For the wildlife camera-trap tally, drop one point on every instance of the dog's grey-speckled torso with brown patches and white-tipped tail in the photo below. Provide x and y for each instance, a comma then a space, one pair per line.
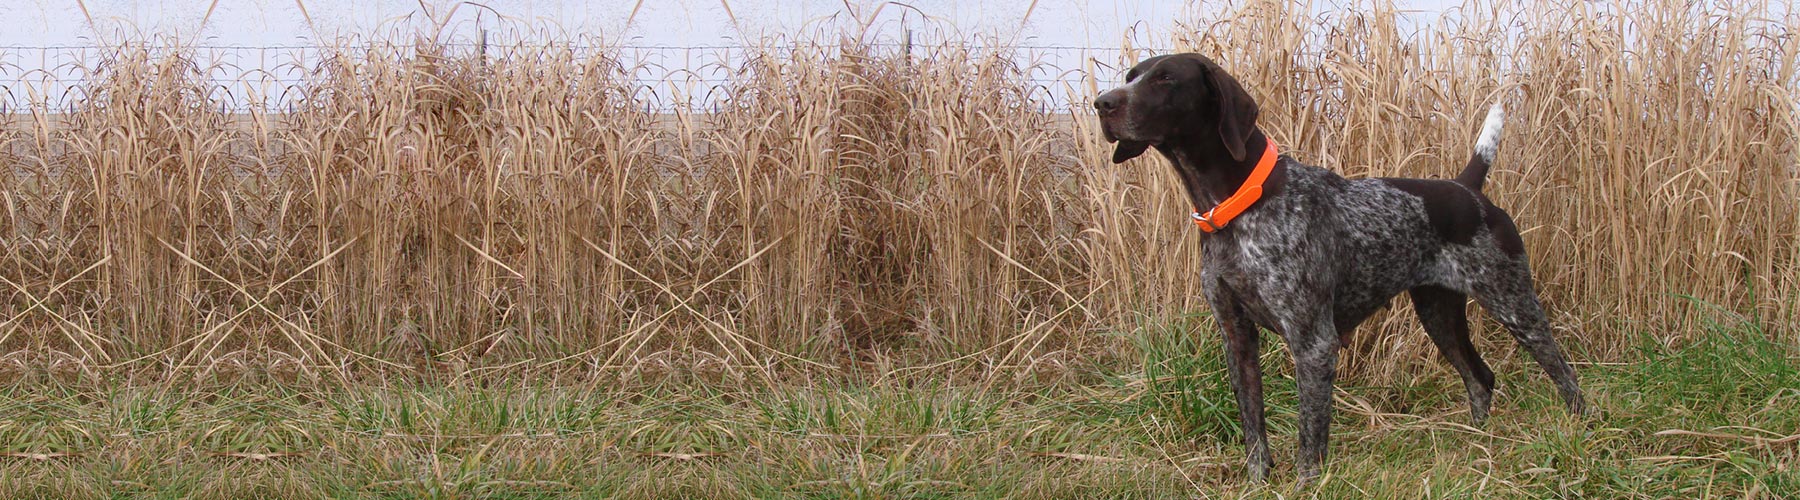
1381, 237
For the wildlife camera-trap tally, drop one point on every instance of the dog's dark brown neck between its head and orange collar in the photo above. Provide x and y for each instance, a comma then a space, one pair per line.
1209, 172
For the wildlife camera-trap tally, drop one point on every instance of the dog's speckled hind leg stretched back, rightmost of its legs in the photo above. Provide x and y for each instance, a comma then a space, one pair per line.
1506, 292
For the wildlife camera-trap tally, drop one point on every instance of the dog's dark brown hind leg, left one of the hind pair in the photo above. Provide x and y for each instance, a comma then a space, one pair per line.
1446, 321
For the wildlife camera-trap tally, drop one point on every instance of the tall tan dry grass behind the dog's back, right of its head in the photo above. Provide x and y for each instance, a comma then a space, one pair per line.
1651, 152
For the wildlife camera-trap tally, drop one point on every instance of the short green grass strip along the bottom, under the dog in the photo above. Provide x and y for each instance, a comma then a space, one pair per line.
1165, 429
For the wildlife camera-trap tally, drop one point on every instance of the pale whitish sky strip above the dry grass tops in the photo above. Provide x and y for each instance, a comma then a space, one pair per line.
46, 37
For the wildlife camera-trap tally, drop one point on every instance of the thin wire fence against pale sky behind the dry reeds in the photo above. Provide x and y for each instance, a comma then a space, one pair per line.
273, 78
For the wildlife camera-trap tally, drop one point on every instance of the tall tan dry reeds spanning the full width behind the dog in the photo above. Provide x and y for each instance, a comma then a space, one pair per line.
847, 206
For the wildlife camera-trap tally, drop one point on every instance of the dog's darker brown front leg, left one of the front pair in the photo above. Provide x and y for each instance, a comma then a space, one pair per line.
1243, 362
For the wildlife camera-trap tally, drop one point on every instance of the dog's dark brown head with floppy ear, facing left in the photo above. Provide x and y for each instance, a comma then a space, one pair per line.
1178, 98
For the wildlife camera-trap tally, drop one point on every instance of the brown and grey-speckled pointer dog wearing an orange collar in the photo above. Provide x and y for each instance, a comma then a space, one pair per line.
1309, 254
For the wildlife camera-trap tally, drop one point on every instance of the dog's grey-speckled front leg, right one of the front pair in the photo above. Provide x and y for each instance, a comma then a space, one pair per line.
1315, 370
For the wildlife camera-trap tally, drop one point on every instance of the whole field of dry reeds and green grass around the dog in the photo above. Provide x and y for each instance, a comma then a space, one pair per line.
879, 272
